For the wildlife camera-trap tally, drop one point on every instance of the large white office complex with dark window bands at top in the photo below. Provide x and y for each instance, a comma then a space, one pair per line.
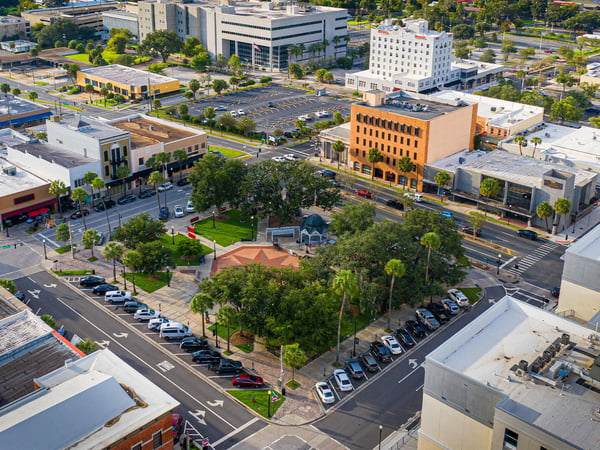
259, 32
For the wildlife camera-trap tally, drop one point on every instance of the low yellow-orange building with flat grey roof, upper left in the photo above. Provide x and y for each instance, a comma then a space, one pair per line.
129, 82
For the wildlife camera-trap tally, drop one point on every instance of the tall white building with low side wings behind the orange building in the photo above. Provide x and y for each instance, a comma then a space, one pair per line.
409, 56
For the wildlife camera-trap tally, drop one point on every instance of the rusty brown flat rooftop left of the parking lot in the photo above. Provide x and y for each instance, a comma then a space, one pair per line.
144, 131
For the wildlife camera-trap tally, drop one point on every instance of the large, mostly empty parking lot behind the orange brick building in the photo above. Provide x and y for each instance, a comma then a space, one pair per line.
288, 105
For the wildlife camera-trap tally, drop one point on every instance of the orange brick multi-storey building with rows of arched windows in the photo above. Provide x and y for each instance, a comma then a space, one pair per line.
413, 127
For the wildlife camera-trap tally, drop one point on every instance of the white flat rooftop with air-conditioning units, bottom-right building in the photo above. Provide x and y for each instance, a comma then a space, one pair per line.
489, 349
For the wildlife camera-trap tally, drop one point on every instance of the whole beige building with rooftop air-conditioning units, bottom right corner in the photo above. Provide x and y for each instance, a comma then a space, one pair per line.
515, 378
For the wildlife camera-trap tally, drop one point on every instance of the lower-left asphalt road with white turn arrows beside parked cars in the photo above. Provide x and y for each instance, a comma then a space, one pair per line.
208, 412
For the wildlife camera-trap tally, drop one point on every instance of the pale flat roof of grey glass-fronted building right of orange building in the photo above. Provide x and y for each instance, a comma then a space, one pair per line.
519, 169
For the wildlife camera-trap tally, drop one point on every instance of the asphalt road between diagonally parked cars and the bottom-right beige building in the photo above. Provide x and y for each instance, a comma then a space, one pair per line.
397, 394
